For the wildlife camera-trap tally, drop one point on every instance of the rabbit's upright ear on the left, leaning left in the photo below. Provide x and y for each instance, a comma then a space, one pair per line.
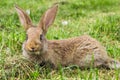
24, 18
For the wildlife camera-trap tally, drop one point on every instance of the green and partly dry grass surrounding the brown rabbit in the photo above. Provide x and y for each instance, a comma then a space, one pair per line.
98, 18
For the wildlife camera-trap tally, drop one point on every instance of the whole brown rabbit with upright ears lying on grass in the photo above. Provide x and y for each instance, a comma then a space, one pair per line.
82, 51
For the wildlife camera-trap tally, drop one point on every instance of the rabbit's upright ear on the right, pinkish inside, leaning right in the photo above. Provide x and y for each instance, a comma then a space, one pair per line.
48, 18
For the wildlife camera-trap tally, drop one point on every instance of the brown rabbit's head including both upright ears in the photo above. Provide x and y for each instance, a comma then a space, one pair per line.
35, 35
